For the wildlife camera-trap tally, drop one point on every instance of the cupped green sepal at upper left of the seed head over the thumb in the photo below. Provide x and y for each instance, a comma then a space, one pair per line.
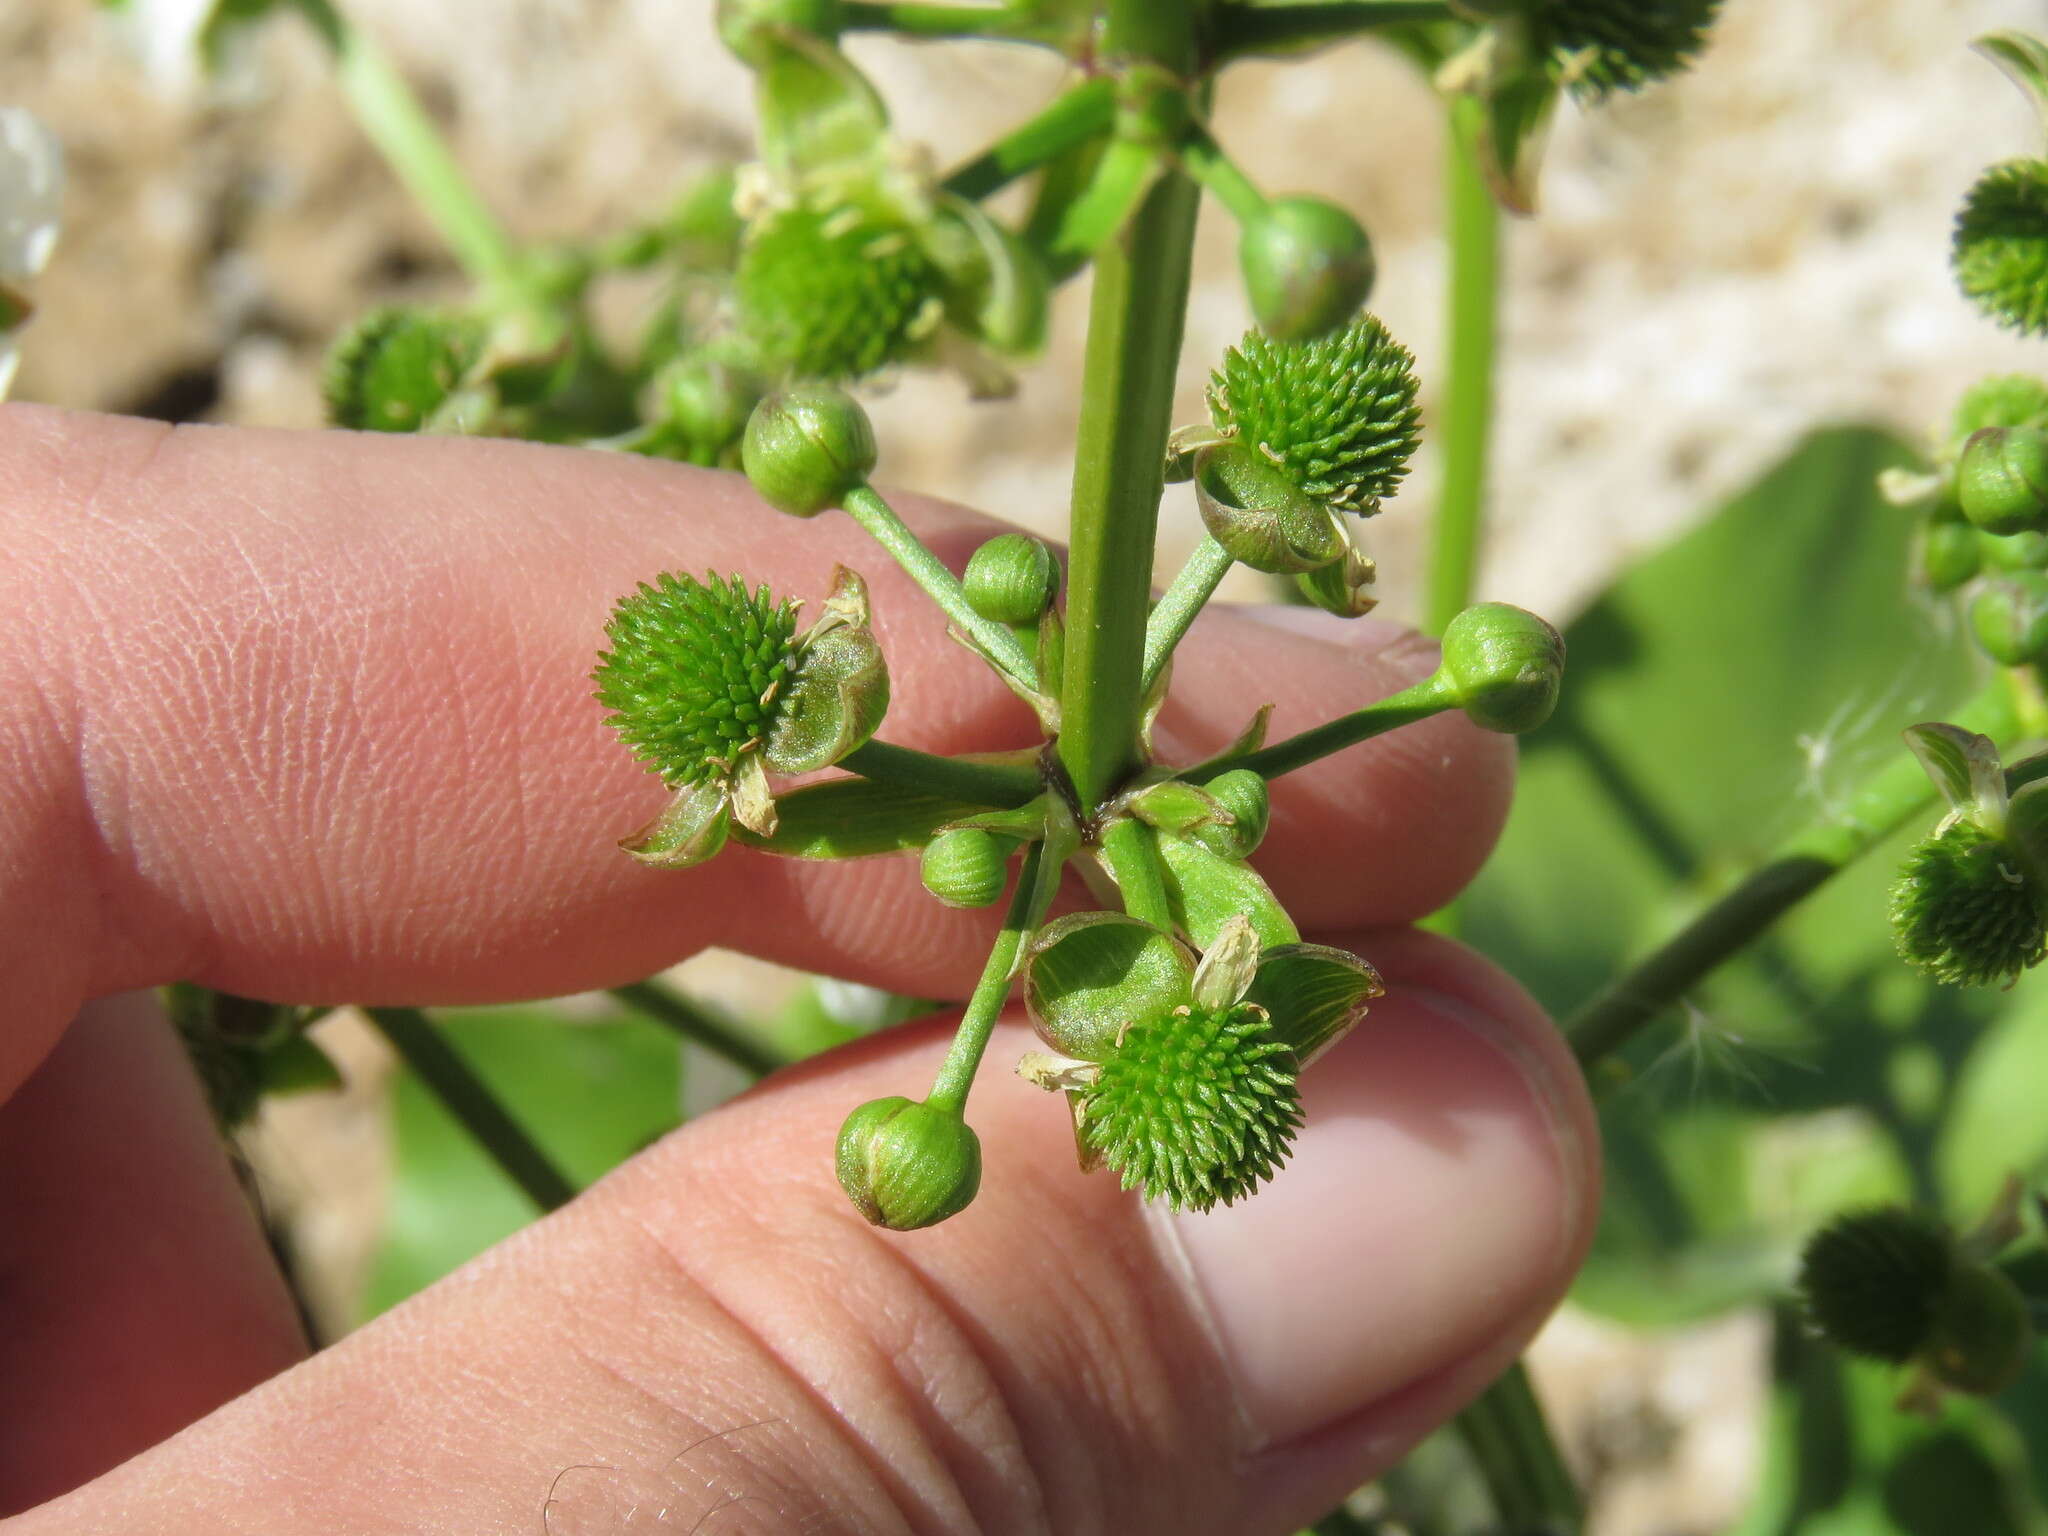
1095, 974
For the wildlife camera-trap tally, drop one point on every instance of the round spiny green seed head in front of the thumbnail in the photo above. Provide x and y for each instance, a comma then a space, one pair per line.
1195, 1107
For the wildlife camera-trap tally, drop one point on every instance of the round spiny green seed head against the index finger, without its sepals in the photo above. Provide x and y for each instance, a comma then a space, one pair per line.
697, 675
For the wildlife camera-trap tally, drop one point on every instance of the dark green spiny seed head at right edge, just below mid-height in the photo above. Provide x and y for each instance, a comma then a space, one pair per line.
1965, 912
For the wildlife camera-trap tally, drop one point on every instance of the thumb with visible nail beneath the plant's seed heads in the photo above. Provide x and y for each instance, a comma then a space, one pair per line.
716, 1330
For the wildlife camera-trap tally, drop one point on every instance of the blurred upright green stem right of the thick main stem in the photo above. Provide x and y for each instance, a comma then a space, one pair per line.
1467, 423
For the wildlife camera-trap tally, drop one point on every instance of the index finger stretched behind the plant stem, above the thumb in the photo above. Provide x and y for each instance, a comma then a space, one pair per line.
308, 716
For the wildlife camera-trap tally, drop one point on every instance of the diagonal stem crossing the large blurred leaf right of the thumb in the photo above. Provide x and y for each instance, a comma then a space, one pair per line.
1799, 867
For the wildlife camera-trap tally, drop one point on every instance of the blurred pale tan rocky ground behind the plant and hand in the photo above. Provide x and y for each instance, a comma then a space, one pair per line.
1721, 265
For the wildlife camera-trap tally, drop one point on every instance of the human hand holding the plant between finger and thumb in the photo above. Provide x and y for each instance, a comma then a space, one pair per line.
306, 716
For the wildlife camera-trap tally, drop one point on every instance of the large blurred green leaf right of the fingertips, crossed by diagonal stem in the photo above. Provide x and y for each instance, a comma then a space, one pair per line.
1721, 697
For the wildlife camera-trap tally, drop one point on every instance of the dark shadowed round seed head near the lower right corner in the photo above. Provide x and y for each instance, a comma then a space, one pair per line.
1875, 1279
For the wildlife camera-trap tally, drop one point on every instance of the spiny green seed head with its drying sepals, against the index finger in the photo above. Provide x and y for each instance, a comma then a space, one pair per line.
714, 687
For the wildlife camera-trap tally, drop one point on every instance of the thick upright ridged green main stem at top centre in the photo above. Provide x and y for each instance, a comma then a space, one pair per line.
1136, 325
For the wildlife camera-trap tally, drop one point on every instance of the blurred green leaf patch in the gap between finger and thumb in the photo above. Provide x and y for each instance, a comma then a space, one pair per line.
589, 1095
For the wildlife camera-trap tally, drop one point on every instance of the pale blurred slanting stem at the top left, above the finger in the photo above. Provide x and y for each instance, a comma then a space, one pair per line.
413, 146
